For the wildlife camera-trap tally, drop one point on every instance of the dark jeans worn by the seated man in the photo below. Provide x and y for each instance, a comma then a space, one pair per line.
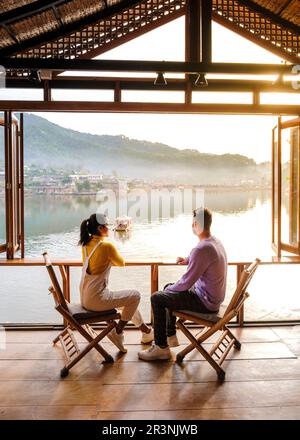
163, 303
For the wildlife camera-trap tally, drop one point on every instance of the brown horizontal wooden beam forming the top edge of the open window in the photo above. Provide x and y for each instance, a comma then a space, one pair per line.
145, 107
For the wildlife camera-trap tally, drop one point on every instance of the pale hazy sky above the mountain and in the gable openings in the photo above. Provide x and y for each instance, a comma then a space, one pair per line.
249, 135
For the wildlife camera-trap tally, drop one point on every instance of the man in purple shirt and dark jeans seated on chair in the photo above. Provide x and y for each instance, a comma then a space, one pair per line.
201, 289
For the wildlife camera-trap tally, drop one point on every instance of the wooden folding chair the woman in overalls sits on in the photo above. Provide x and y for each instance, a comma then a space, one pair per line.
79, 319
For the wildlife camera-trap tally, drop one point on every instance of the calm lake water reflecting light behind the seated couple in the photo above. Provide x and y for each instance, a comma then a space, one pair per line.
242, 220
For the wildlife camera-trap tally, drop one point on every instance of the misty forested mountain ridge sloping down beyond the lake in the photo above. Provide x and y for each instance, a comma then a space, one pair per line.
49, 145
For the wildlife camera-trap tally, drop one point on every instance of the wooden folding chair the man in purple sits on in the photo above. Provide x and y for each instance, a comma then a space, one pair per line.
215, 322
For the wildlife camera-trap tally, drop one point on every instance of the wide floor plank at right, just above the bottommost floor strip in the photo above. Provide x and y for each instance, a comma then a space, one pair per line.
199, 396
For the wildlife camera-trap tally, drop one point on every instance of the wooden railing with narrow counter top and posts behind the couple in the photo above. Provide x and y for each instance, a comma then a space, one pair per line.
65, 265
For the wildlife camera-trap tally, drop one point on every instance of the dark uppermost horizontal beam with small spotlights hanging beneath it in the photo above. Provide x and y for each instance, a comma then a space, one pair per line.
144, 66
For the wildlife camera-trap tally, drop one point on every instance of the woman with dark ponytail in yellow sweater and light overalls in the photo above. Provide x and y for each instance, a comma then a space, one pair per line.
98, 257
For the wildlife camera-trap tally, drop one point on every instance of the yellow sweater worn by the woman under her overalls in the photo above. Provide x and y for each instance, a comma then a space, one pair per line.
106, 253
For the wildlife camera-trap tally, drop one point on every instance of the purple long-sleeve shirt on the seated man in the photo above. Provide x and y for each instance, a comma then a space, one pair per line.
206, 273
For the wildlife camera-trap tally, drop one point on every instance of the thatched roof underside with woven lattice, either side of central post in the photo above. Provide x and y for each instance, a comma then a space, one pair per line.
77, 28
